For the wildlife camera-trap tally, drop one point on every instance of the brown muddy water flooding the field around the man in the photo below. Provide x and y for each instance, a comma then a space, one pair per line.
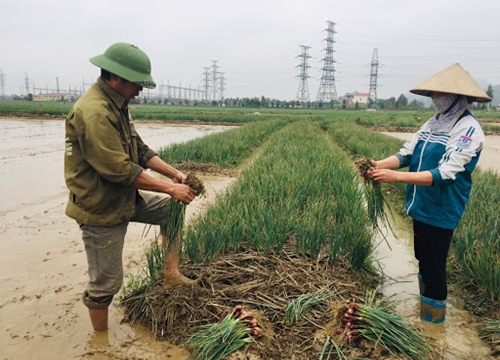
42, 259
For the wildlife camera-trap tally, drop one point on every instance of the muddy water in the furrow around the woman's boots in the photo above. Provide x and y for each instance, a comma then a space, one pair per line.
457, 337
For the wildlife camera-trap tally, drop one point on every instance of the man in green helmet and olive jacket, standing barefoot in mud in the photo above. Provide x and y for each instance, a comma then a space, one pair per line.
104, 166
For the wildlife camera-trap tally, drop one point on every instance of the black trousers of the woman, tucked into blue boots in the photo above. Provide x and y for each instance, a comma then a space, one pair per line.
431, 245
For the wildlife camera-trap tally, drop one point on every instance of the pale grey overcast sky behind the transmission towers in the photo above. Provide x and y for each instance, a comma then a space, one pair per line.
256, 43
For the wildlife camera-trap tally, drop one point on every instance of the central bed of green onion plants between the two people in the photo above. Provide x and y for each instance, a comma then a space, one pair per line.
309, 182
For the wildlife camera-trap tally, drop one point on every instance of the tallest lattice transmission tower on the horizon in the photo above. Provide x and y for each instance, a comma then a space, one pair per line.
327, 90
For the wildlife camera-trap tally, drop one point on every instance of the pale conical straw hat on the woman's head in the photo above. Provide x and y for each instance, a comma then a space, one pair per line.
453, 80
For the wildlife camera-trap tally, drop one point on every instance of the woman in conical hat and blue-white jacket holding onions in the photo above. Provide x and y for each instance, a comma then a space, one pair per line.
441, 157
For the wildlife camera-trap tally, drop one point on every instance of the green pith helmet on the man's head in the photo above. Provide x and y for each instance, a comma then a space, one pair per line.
128, 62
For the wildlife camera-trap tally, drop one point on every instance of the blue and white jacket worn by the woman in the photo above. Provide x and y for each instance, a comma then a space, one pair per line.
451, 158
